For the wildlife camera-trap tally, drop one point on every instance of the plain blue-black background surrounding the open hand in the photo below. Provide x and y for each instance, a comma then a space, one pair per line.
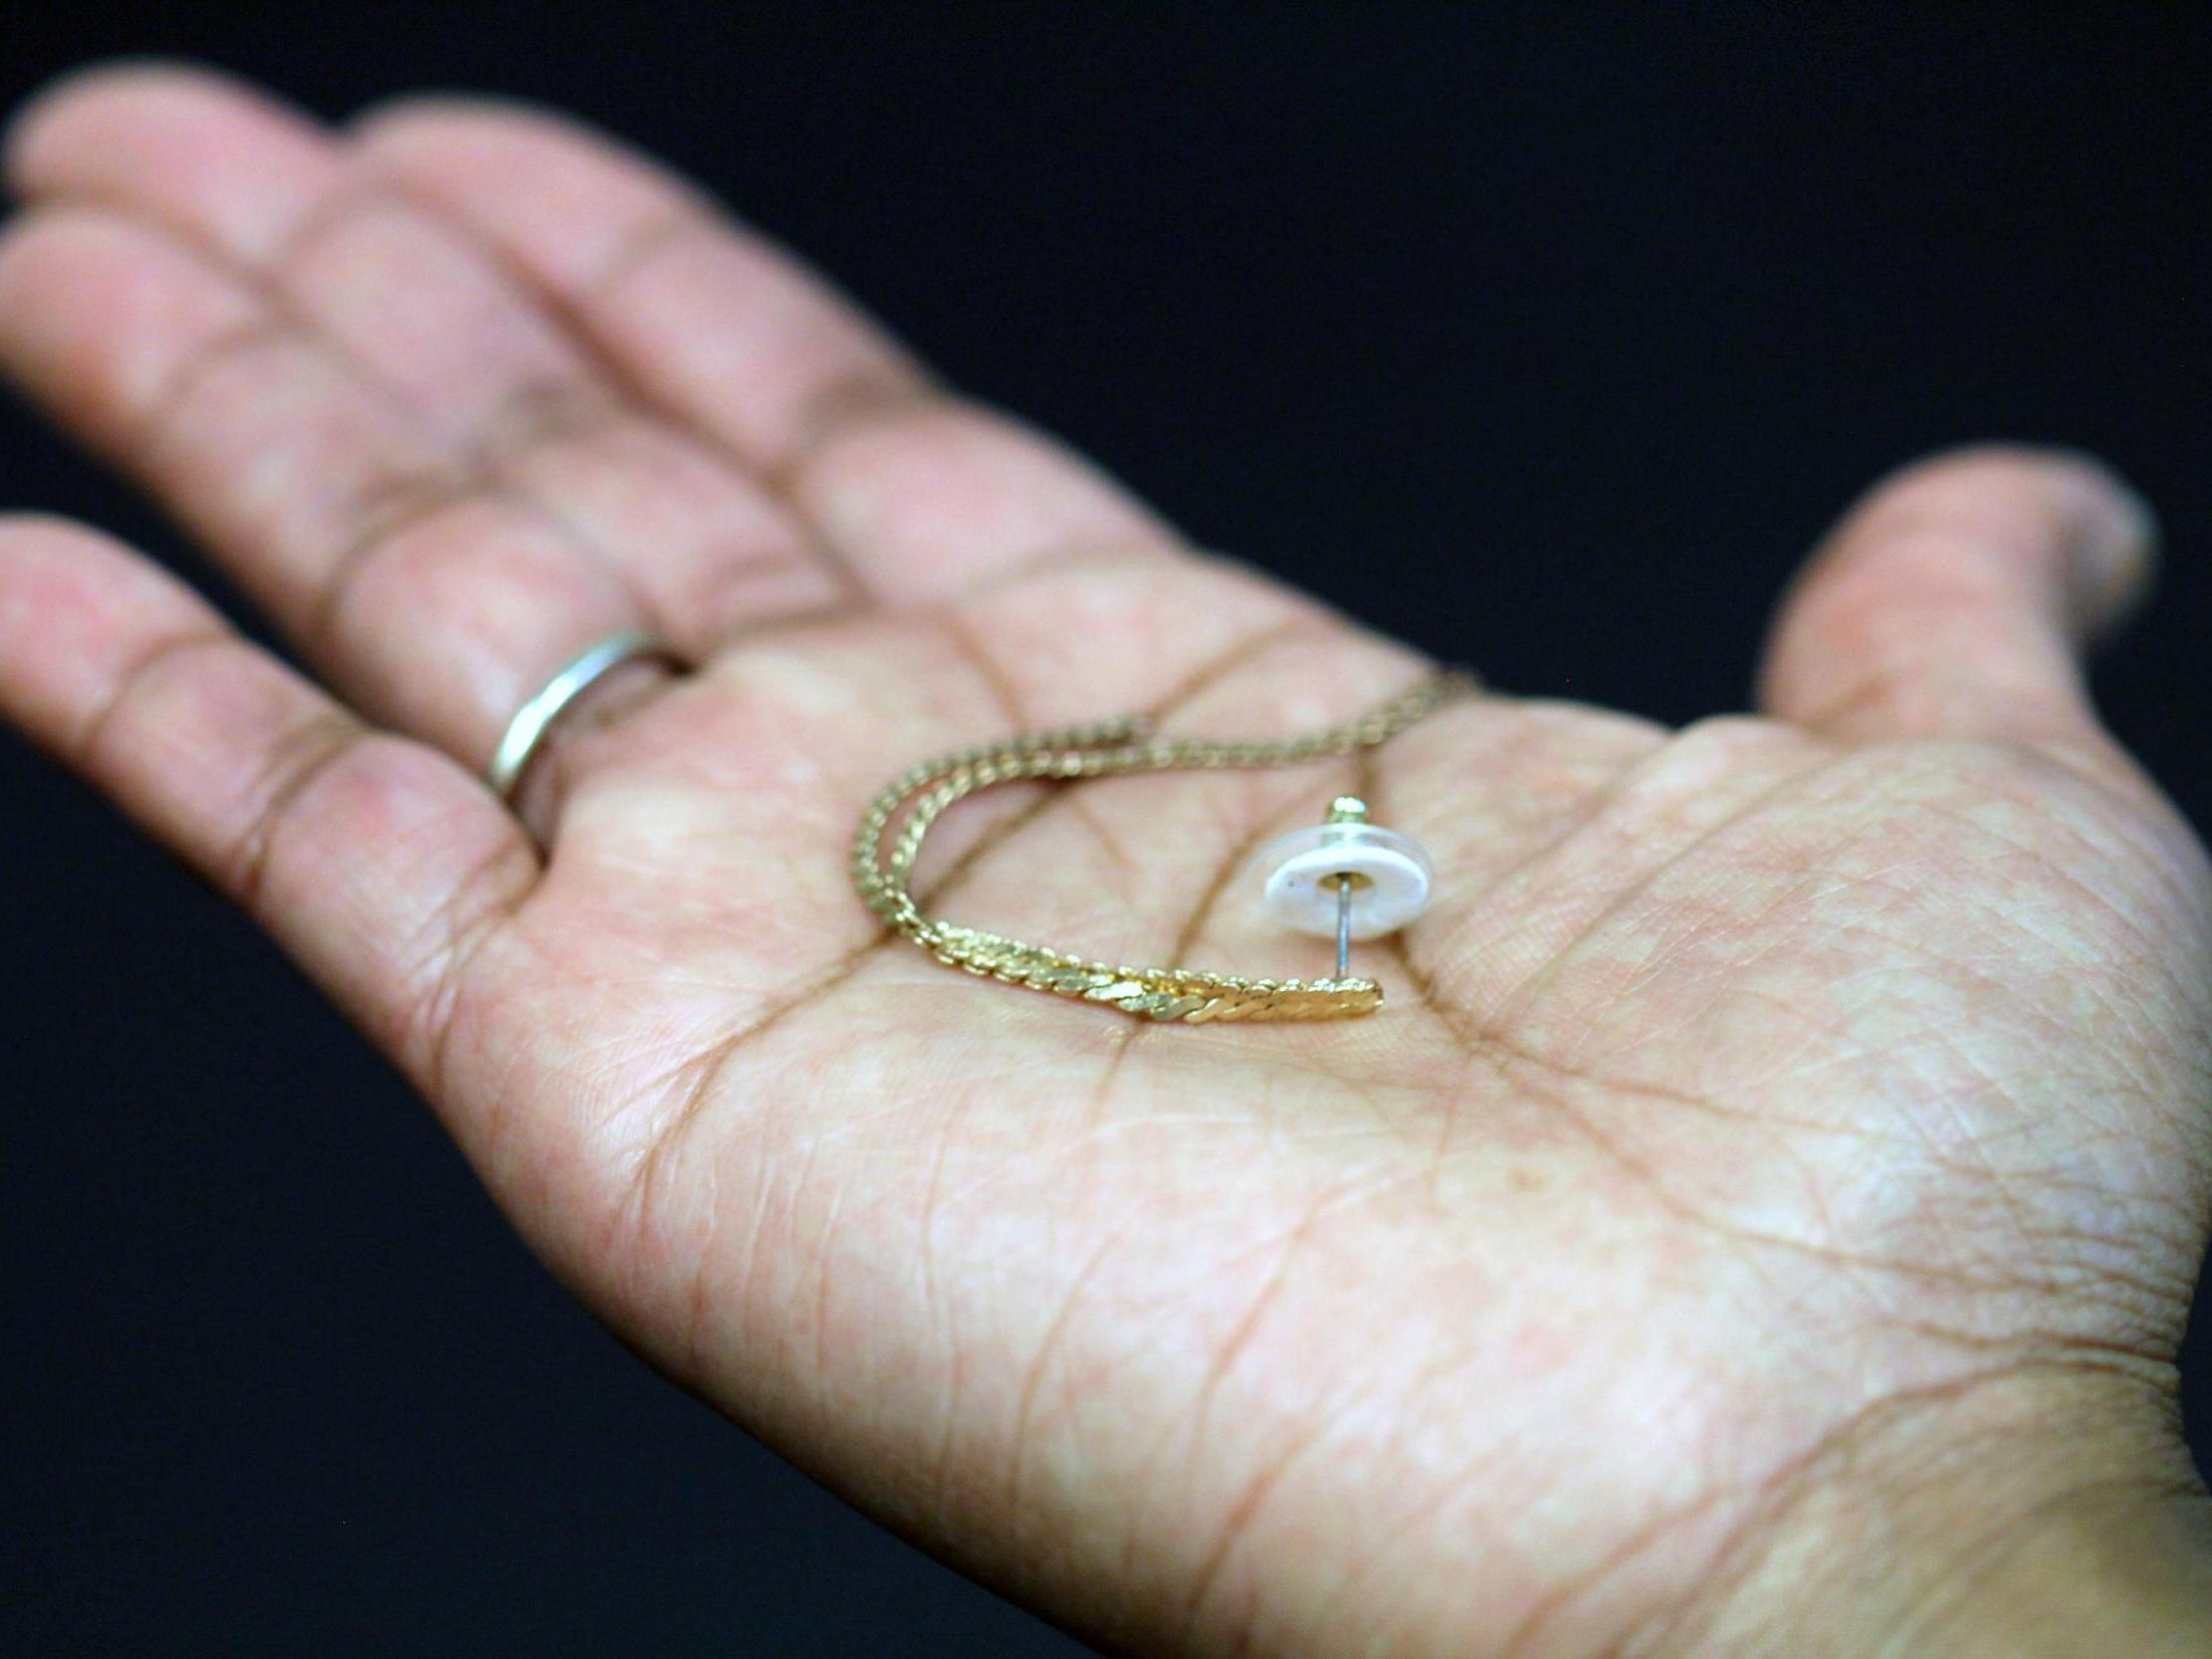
1547, 337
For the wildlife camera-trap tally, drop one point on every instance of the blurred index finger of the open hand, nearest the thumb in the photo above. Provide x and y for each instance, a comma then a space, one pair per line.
921, 492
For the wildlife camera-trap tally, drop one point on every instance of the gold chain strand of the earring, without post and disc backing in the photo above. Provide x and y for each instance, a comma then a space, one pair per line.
884, 862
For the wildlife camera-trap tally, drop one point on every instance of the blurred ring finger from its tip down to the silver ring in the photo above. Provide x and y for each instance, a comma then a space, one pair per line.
430, 605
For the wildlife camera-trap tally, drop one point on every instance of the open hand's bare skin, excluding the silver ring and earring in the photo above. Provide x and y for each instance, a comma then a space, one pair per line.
1760, 1222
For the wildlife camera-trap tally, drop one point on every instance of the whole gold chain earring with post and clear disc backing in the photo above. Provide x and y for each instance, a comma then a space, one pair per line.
1342, 877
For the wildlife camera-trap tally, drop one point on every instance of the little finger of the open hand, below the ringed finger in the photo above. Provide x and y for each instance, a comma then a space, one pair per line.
371, 859
